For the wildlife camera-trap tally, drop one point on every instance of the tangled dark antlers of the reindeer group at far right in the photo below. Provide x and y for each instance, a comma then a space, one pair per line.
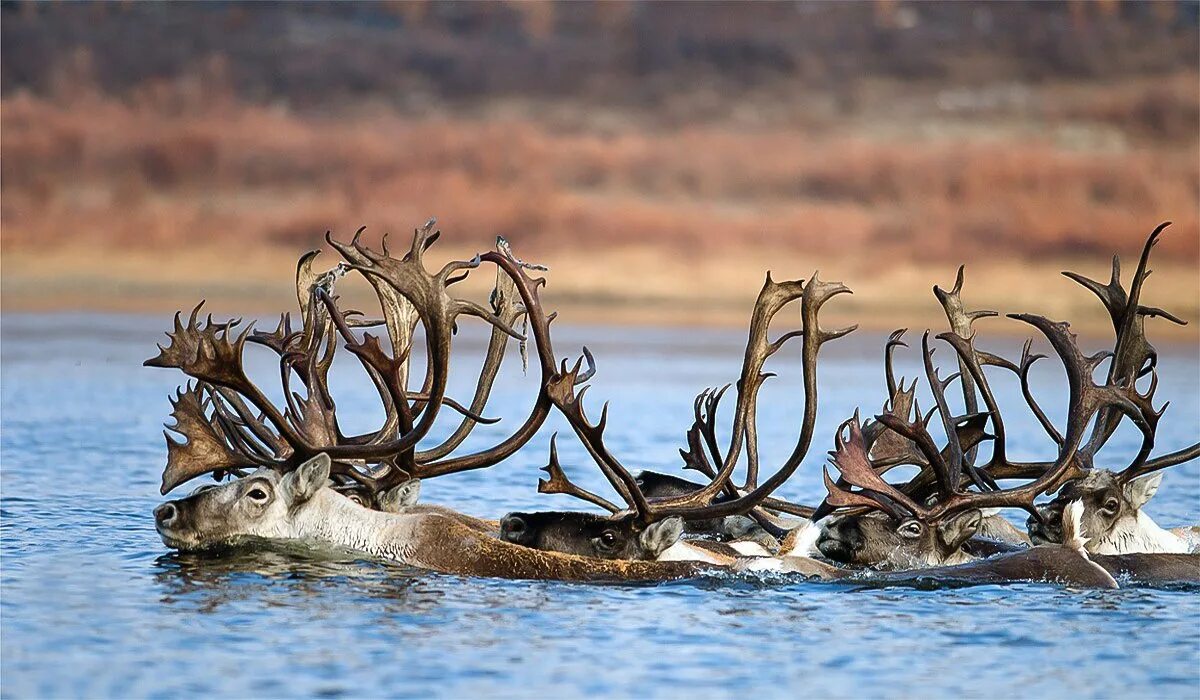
861, 484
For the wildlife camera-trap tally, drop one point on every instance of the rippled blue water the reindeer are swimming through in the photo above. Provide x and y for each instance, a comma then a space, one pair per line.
94, 606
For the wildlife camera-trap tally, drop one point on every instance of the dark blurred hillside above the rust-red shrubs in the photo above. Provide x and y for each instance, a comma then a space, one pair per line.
313, 55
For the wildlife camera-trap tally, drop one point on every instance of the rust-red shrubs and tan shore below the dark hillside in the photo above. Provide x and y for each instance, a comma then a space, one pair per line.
172, 188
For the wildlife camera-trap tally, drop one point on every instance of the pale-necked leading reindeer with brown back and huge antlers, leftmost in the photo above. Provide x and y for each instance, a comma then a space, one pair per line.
301, 477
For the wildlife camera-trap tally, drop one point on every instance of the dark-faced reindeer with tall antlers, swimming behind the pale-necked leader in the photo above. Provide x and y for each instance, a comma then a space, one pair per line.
647, 528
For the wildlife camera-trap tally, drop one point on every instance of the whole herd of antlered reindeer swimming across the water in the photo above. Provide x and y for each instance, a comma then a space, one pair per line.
287, 471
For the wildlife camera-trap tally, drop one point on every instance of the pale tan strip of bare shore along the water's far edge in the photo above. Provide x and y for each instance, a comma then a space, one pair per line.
628, 288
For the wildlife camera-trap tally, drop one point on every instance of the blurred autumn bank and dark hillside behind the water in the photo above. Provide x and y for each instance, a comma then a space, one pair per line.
659, 157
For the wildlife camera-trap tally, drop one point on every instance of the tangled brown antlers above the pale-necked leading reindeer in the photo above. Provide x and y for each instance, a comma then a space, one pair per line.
230, 424
